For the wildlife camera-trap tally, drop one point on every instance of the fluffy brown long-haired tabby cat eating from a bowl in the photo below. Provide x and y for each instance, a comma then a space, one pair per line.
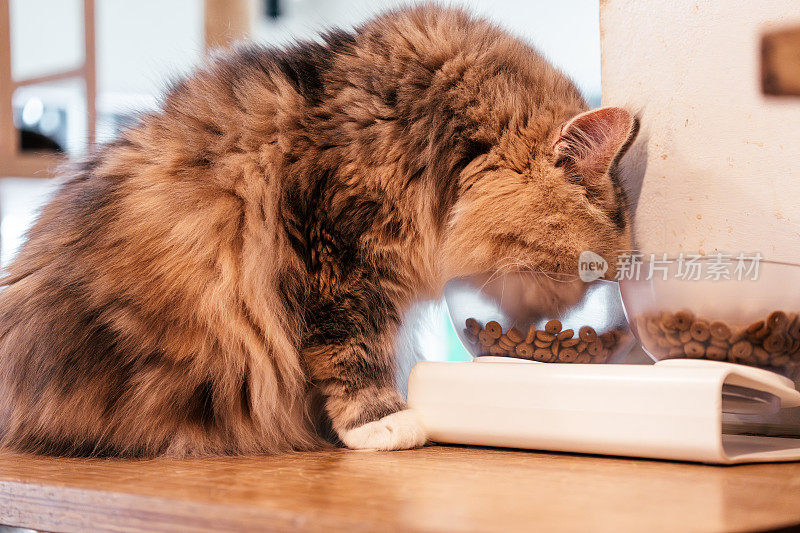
229, 275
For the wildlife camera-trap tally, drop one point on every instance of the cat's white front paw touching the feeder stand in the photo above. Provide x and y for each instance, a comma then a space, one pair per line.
397, 431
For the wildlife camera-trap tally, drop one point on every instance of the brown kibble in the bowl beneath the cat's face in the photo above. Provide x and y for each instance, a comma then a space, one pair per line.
550, 345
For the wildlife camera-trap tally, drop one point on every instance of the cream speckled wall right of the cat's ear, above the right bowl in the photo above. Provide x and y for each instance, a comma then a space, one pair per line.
720, 167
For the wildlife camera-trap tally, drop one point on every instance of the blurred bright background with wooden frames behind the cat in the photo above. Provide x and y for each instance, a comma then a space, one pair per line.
73, 72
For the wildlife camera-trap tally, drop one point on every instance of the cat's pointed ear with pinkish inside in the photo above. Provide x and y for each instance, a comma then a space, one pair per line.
595, 140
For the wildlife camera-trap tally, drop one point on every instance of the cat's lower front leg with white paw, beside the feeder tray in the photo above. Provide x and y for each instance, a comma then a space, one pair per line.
366, 410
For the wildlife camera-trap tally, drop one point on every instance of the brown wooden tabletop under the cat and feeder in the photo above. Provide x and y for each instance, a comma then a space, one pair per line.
432, 489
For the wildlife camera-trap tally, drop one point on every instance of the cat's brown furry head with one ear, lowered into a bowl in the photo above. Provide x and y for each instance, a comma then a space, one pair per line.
538, 205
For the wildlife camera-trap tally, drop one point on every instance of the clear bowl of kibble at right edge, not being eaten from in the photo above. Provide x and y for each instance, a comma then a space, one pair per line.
751, 319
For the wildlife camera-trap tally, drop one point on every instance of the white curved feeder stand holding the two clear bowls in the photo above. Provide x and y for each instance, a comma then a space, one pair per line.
678, 409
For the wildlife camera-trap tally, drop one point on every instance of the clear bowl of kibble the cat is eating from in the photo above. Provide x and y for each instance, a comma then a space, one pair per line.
539, 316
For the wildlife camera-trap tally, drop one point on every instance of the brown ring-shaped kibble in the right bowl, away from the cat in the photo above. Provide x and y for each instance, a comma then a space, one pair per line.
772, 342
